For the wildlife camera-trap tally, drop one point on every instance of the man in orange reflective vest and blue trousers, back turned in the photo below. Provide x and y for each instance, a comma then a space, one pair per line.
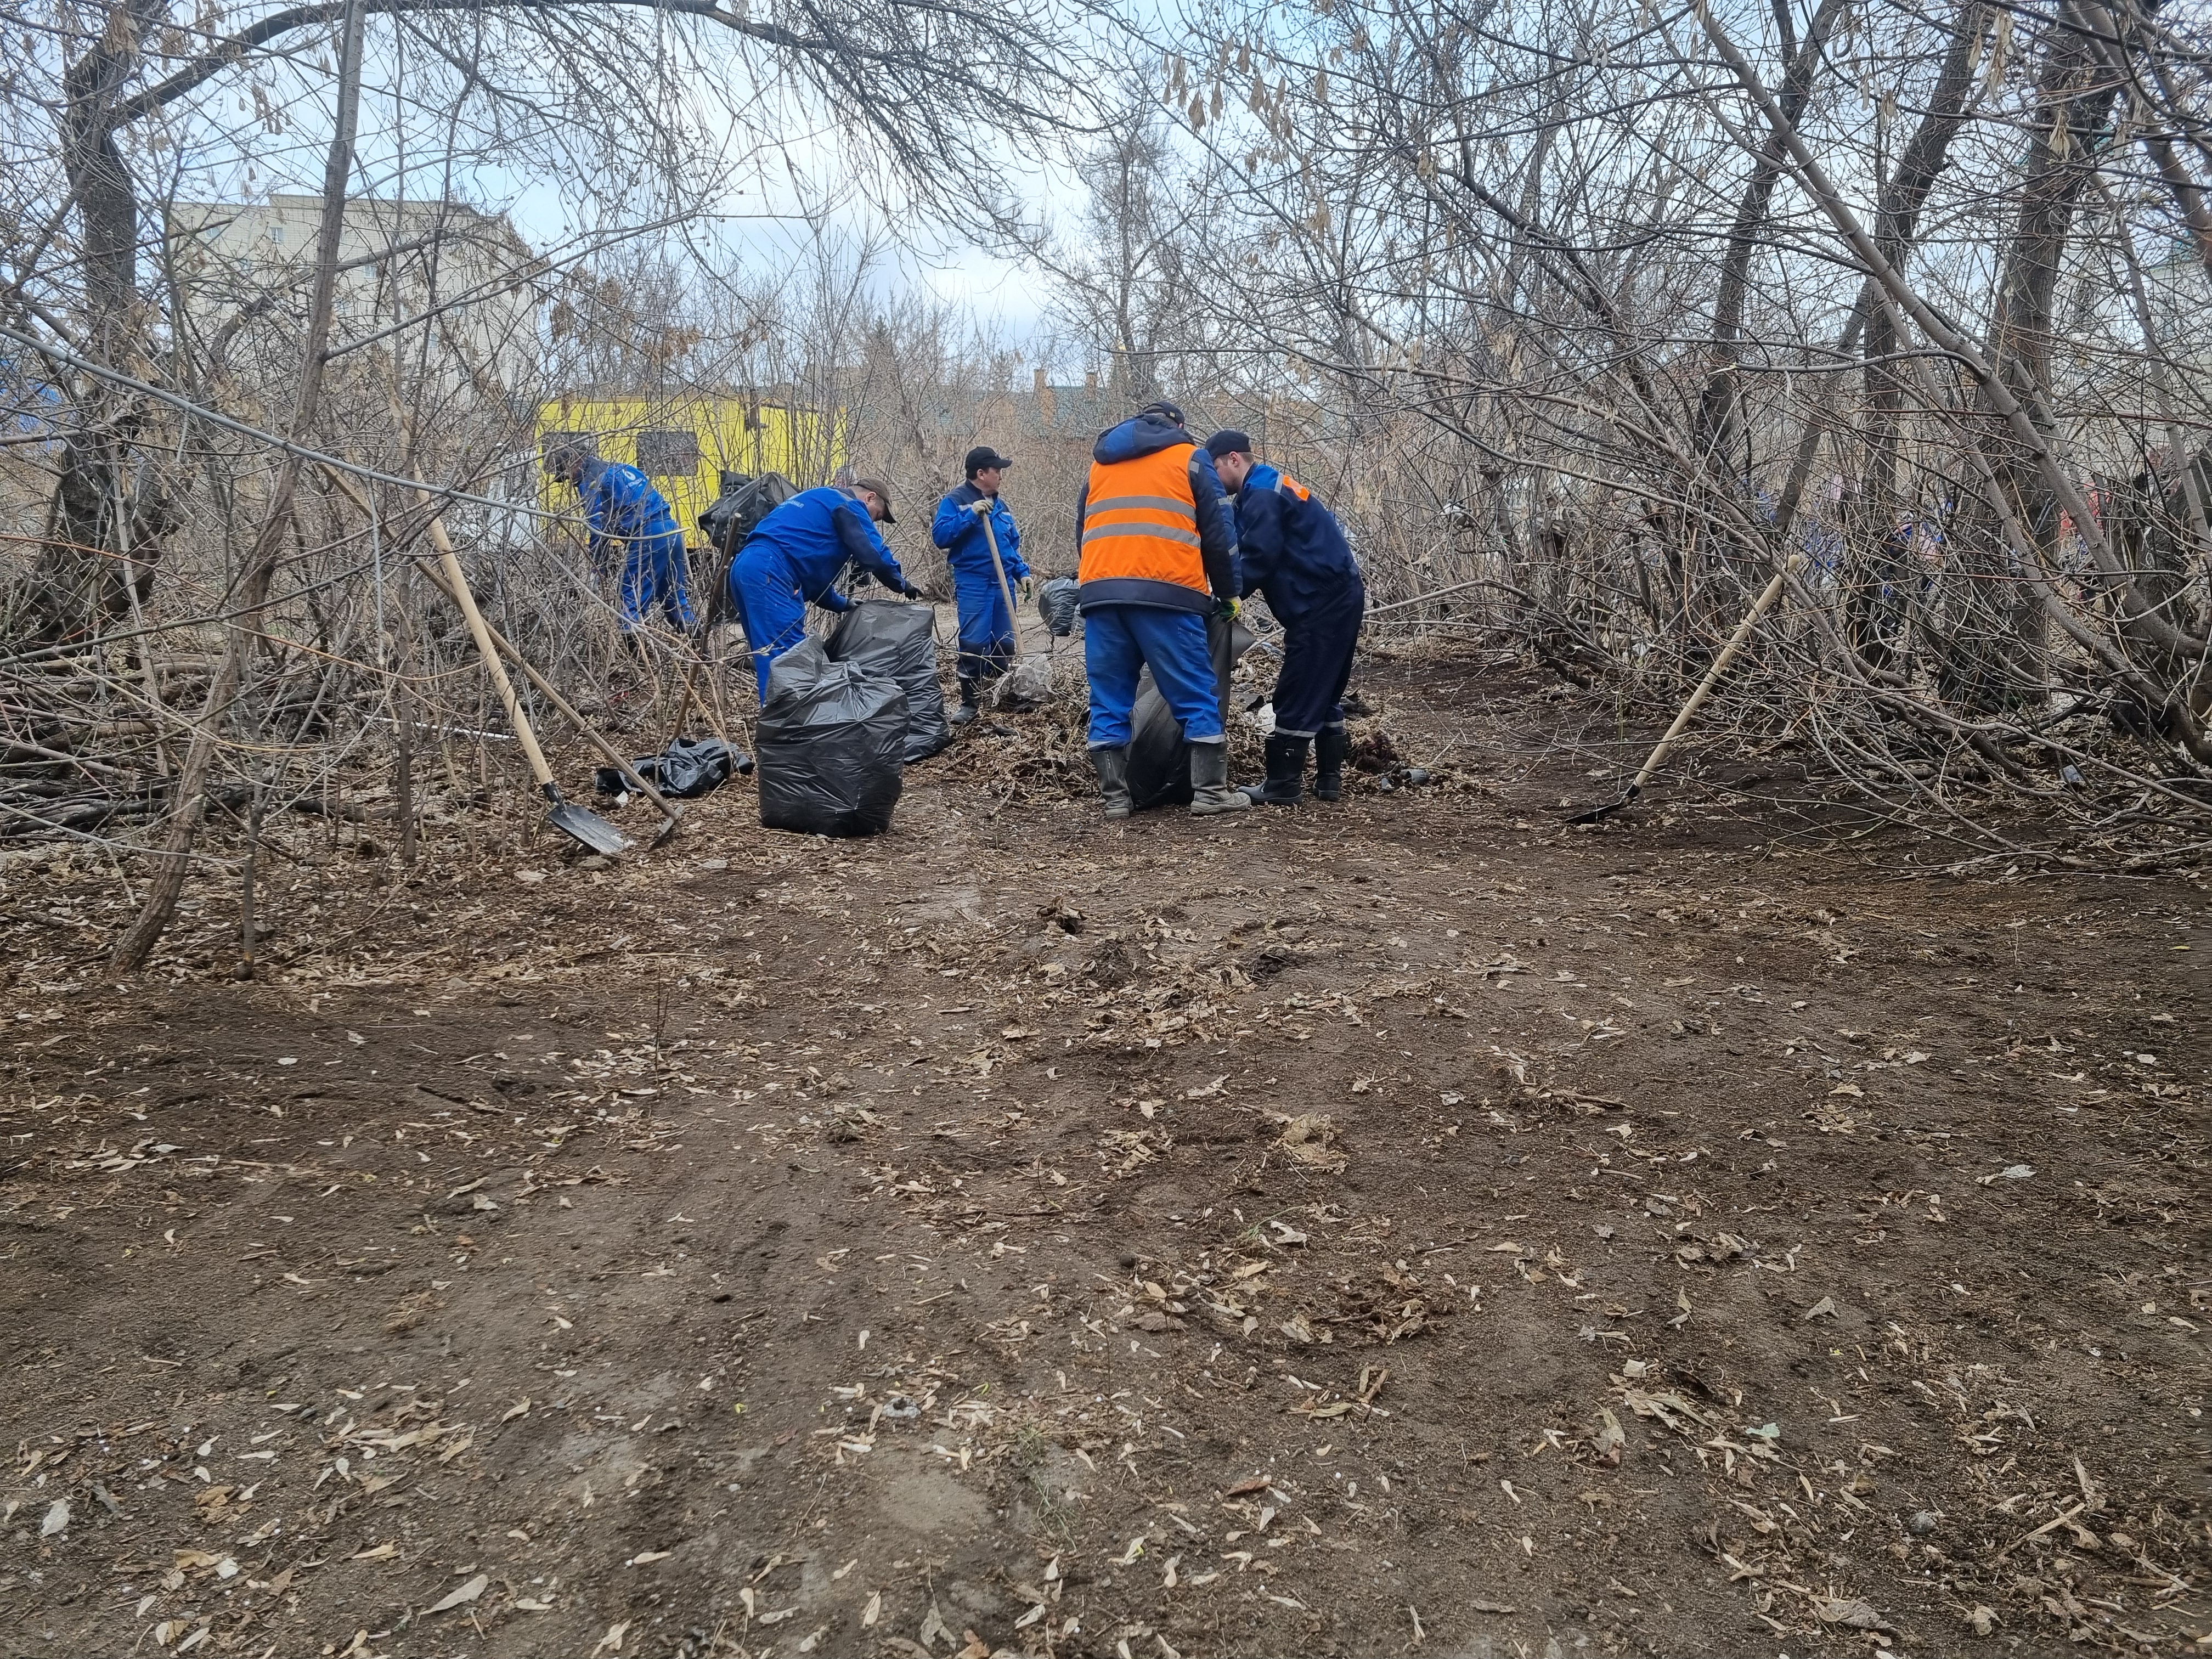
1158, 561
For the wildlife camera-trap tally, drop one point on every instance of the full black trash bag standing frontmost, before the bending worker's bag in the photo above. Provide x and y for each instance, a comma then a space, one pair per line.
833, 740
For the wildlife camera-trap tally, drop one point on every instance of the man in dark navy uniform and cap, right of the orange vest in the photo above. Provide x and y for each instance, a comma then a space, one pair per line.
1297, 559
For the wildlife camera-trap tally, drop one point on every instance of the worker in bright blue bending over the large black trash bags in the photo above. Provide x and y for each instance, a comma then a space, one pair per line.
797, 556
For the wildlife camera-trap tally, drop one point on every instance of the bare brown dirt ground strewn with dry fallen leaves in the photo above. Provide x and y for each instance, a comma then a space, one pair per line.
1404, 1227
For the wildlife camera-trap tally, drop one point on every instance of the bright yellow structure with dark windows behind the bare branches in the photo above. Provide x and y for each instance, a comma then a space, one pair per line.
685, 446
